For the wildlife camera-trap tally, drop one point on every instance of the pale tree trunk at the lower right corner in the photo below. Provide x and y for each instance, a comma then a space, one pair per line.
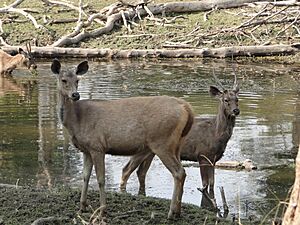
292, 214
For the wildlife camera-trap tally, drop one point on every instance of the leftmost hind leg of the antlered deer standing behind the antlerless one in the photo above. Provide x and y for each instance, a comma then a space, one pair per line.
132, 164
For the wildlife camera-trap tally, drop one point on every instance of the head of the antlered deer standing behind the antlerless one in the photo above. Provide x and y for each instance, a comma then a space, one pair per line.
228, 99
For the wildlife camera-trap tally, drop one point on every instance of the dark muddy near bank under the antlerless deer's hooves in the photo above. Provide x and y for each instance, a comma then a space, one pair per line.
26, 205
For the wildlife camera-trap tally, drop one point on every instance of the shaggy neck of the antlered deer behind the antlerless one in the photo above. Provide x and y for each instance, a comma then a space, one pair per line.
224, 123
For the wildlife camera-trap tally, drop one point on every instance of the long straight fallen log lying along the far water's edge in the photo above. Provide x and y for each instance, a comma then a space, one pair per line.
223, 52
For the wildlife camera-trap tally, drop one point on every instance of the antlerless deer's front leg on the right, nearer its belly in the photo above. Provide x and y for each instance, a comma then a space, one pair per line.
98, 161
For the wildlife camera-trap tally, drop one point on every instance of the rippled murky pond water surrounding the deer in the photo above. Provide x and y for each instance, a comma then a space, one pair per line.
35, 149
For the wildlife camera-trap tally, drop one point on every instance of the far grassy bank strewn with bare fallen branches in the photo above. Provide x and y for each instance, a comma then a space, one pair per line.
250, 30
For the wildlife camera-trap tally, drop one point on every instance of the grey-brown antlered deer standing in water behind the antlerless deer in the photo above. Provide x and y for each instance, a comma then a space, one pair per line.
205, 143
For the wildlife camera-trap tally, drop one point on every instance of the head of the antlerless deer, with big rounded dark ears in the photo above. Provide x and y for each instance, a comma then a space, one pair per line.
68, 80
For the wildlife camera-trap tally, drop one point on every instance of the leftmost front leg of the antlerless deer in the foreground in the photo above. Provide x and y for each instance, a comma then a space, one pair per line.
87, 169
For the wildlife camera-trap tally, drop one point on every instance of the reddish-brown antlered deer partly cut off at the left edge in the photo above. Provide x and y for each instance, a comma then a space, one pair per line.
23, 59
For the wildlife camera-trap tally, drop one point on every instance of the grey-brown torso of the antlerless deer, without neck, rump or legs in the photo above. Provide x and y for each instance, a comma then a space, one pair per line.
126, 125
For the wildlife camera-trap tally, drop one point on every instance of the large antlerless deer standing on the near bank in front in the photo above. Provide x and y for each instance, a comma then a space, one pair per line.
139, 126
